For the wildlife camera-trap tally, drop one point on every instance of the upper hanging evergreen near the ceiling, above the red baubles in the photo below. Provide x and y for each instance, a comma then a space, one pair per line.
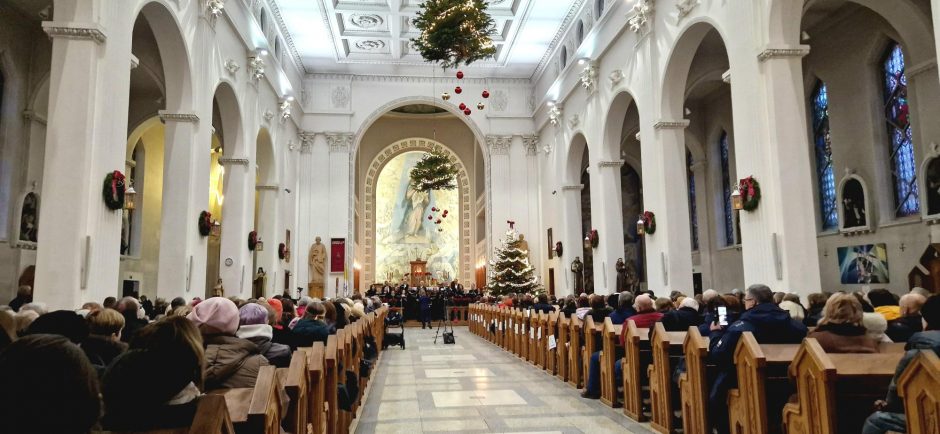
454, 32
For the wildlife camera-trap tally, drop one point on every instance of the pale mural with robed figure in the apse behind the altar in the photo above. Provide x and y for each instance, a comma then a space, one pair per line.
404, 231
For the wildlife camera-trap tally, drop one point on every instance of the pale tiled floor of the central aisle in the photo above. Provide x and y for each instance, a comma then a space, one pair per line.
475, 387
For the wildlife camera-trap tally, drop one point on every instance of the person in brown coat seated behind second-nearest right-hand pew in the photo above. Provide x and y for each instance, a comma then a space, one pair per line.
840, 330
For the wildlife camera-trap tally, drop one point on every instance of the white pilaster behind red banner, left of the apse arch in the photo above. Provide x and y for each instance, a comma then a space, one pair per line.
340, 203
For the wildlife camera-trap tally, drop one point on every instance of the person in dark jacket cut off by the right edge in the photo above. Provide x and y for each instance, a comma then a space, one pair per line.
890, 417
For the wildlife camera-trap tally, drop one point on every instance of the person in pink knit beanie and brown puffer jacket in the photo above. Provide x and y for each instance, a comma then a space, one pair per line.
231, 362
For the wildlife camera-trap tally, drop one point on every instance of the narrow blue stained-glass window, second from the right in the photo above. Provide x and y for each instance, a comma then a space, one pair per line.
823, 145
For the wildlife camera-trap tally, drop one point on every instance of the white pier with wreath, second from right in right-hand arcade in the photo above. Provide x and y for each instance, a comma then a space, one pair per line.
669, 250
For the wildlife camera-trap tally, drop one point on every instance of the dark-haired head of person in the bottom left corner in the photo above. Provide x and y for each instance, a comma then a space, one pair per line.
48, 387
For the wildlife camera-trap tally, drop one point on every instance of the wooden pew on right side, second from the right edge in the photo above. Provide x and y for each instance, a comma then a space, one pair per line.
835, 392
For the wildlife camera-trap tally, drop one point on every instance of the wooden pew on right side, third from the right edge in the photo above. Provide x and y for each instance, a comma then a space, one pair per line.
763, 387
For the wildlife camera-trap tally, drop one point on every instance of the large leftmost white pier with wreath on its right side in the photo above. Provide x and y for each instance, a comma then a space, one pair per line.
78, 254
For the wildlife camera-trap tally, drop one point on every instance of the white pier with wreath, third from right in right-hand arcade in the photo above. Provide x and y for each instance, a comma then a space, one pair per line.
607, 218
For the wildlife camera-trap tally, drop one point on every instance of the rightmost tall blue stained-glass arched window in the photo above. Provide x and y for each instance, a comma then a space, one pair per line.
900, 133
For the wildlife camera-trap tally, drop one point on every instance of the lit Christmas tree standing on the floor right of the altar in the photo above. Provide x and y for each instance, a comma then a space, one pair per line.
510, 271
